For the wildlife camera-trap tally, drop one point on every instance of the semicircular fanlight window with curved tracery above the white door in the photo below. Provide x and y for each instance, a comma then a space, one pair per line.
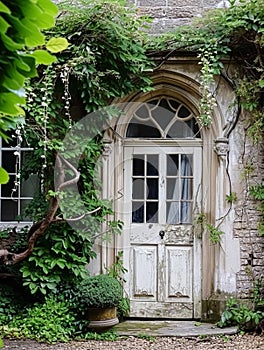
164, 118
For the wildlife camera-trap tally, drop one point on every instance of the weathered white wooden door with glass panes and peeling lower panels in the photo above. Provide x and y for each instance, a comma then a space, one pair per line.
162, 190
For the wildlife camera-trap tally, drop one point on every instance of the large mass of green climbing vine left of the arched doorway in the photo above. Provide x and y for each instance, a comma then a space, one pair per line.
105, 60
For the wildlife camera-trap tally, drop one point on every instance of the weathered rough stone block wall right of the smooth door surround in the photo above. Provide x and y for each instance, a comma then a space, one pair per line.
247, 214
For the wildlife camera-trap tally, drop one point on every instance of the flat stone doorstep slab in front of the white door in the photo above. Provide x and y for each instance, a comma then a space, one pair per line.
171, 329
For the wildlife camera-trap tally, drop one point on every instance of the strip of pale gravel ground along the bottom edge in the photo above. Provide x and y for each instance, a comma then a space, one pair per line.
236, 342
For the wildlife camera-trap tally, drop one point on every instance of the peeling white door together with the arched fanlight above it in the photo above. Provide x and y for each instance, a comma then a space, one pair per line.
162, 175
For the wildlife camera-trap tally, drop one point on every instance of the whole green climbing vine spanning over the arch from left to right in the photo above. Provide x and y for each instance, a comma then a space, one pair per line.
107, 58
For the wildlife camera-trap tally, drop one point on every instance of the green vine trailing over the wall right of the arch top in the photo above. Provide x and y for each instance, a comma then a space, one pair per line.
234, 34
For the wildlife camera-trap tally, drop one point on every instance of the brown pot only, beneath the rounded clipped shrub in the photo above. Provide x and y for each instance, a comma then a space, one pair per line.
101, 319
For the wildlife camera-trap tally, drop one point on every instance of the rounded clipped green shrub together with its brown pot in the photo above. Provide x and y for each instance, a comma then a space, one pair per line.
98, 297
